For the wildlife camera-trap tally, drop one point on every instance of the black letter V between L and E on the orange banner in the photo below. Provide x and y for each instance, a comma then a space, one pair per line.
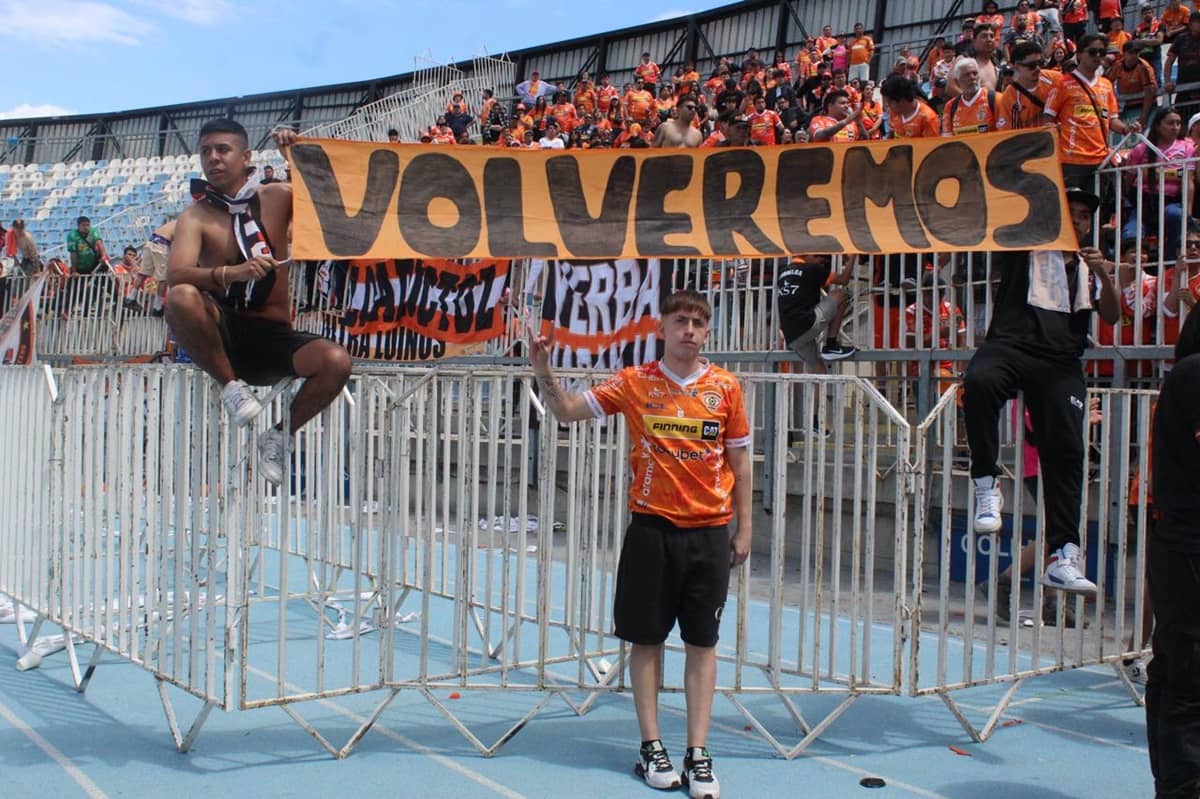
586, 236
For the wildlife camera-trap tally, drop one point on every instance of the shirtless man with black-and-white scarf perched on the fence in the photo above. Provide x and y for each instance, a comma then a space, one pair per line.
229, 302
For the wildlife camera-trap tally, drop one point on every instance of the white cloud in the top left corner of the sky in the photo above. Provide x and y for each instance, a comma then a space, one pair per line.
58, 22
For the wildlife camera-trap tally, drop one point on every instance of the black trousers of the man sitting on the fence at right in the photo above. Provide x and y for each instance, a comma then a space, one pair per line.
1058, 400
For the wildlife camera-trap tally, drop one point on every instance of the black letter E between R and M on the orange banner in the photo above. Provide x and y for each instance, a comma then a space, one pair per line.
799, 171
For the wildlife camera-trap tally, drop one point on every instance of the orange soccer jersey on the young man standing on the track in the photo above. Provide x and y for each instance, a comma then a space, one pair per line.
680, 430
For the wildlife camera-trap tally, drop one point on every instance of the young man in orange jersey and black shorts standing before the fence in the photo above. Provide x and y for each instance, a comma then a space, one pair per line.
691, 477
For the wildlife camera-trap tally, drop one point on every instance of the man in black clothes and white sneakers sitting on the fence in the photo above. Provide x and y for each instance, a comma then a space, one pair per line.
1039, 352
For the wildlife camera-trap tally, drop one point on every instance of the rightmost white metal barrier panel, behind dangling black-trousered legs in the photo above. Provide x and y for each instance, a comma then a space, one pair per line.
981, 612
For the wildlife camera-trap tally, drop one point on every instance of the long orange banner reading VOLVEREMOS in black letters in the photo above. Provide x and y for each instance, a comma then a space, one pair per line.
995, 191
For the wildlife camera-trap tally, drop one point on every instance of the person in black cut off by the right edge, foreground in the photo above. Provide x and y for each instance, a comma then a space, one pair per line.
1173, 686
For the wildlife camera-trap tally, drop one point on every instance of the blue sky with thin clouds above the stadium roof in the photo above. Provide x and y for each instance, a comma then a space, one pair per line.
89, 56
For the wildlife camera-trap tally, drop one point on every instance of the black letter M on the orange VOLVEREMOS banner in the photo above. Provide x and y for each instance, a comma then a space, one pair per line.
863, 179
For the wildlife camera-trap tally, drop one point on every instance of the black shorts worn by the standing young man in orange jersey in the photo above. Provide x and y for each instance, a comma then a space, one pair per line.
668, 573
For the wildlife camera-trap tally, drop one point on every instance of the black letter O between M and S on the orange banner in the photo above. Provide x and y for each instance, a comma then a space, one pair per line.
965, 224
